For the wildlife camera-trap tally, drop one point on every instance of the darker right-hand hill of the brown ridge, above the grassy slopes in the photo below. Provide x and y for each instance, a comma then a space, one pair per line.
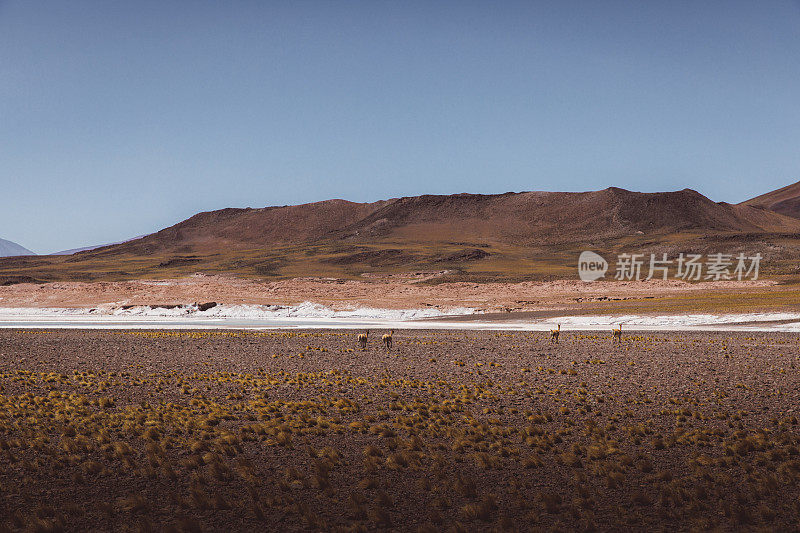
552, 217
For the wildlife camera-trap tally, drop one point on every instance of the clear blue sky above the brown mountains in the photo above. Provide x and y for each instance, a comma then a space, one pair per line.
121, 118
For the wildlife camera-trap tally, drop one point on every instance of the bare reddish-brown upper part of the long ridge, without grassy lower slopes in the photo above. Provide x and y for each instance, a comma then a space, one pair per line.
527, 218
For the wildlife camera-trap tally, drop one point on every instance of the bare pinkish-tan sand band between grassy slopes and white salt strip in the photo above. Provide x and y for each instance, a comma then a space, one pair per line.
421, 290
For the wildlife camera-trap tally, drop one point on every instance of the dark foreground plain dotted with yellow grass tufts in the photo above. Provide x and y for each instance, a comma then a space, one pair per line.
450, 430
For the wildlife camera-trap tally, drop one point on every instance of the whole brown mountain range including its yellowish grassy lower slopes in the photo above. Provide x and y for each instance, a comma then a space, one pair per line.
479, 236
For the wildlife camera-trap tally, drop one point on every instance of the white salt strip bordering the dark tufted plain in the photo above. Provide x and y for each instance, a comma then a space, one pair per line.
288, 317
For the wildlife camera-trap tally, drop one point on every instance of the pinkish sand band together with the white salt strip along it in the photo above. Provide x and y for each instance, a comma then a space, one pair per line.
402, 301
